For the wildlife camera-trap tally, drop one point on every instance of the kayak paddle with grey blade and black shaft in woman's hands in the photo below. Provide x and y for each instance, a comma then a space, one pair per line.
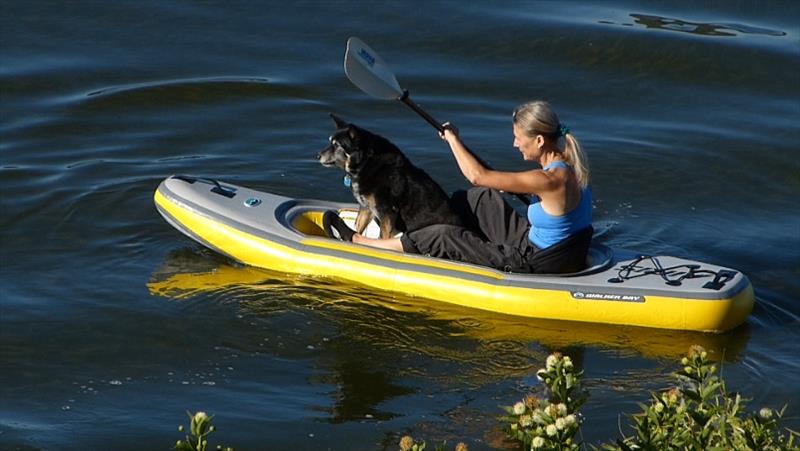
367, 70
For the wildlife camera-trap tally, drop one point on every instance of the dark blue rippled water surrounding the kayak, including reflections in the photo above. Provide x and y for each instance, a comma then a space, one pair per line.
112, 324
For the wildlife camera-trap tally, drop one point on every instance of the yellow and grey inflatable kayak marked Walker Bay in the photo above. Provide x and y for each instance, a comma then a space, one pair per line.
618, 286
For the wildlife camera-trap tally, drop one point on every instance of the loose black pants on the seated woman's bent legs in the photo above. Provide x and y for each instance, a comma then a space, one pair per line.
496, 235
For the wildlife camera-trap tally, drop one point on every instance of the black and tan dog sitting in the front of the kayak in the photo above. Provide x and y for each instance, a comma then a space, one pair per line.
386, 185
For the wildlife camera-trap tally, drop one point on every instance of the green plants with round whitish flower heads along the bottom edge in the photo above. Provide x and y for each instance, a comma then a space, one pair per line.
697, 414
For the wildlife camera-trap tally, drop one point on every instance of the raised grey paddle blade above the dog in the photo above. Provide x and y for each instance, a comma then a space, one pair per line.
368, 72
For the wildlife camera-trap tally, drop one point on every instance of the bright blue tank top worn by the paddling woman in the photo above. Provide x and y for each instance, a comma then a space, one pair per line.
546, 229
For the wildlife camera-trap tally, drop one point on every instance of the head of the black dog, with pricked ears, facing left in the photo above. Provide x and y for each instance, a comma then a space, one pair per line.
345, 149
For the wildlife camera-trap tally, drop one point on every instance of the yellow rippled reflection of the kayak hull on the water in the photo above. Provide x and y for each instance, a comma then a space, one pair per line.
504, 339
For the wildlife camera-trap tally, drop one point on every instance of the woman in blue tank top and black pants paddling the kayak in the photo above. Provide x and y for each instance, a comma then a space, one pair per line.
555, 236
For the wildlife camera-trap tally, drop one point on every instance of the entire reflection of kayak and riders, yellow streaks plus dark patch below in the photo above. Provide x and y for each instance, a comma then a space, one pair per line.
371, 347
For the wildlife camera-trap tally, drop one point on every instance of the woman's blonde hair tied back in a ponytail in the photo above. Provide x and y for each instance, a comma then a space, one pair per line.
538, 118
